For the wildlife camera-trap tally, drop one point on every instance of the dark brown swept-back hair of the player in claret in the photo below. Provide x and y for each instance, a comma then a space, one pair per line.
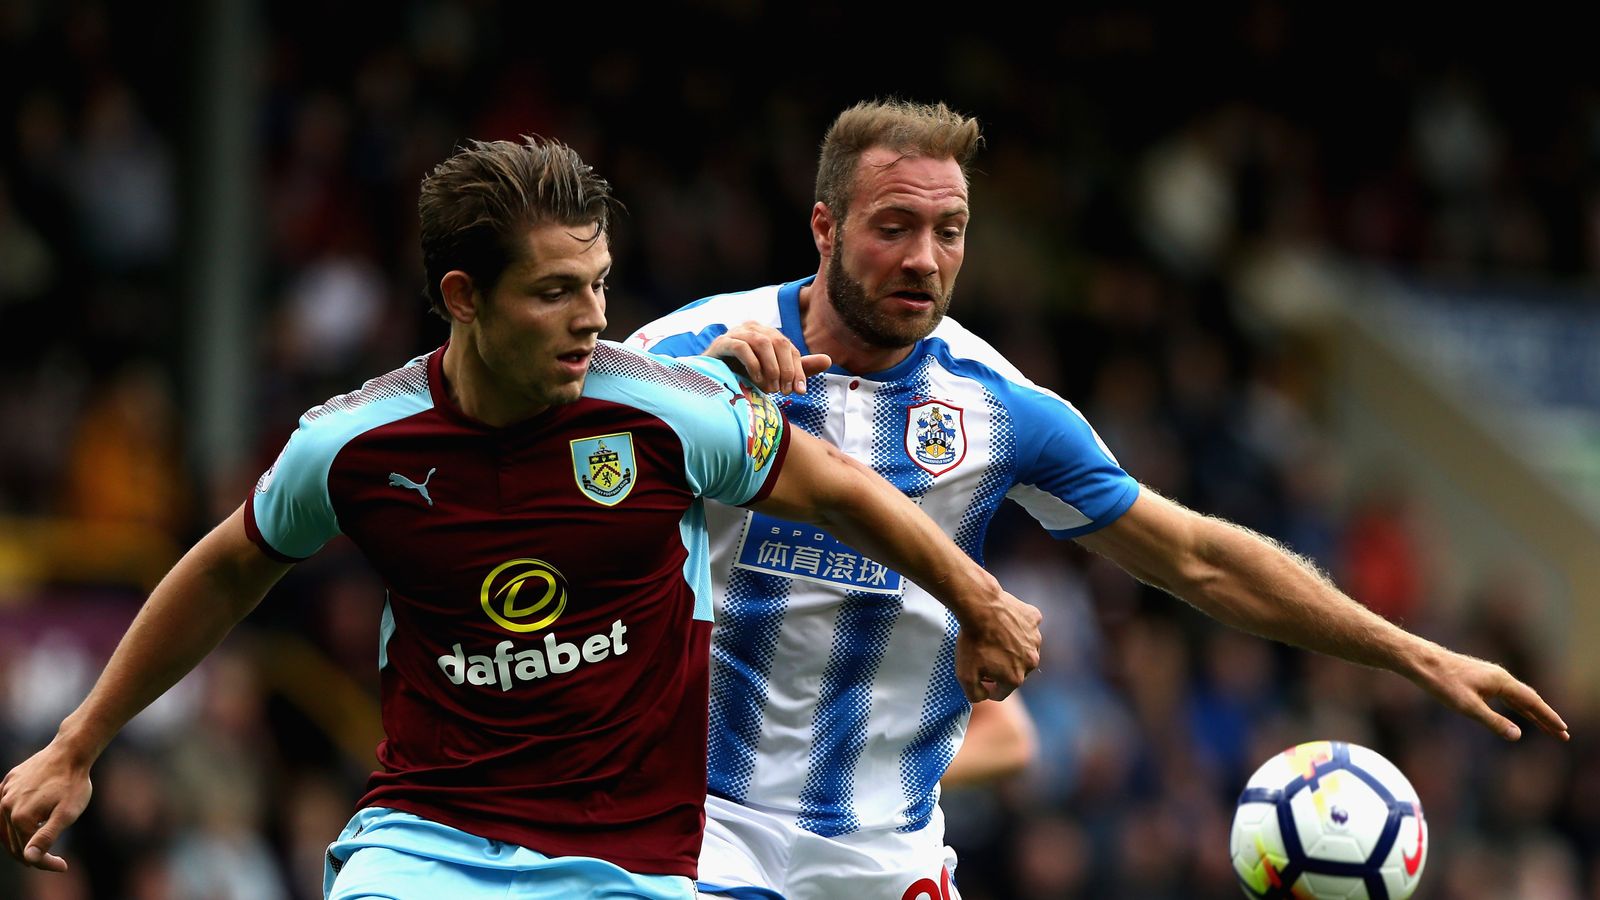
479, 204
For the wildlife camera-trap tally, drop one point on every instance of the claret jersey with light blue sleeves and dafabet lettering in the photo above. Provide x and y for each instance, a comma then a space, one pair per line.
545, 641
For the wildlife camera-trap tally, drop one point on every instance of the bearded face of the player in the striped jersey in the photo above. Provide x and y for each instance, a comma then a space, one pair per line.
900, 247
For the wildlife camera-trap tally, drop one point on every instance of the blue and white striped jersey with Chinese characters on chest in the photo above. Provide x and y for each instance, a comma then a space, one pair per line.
834, 694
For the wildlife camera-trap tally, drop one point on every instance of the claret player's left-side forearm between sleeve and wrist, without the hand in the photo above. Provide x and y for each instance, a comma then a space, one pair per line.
206, 595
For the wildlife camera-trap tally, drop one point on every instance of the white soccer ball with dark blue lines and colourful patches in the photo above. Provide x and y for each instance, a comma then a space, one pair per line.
1329, 821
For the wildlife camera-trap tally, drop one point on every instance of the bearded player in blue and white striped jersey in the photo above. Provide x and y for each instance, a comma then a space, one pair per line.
834, 712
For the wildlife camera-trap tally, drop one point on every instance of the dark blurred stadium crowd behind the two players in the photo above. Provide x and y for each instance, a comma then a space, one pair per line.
1329, 273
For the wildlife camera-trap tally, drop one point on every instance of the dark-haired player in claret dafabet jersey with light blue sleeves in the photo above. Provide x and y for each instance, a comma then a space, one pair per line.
532, 499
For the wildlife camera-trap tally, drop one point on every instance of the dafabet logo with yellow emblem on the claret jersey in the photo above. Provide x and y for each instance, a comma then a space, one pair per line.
526, 597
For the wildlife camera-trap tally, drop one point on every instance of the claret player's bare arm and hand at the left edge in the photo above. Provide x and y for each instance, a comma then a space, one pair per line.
212, 589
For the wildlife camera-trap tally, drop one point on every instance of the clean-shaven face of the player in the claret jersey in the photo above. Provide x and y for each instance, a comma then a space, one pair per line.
540, 323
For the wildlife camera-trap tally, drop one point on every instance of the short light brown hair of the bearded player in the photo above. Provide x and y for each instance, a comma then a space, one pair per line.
910, 129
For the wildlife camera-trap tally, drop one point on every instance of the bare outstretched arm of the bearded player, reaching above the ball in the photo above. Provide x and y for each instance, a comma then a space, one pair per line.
1252, 584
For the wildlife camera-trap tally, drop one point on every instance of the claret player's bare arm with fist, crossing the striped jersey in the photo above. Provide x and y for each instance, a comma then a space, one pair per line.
822, 484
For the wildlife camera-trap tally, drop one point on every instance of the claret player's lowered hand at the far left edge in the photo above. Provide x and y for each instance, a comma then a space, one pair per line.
39, 800
